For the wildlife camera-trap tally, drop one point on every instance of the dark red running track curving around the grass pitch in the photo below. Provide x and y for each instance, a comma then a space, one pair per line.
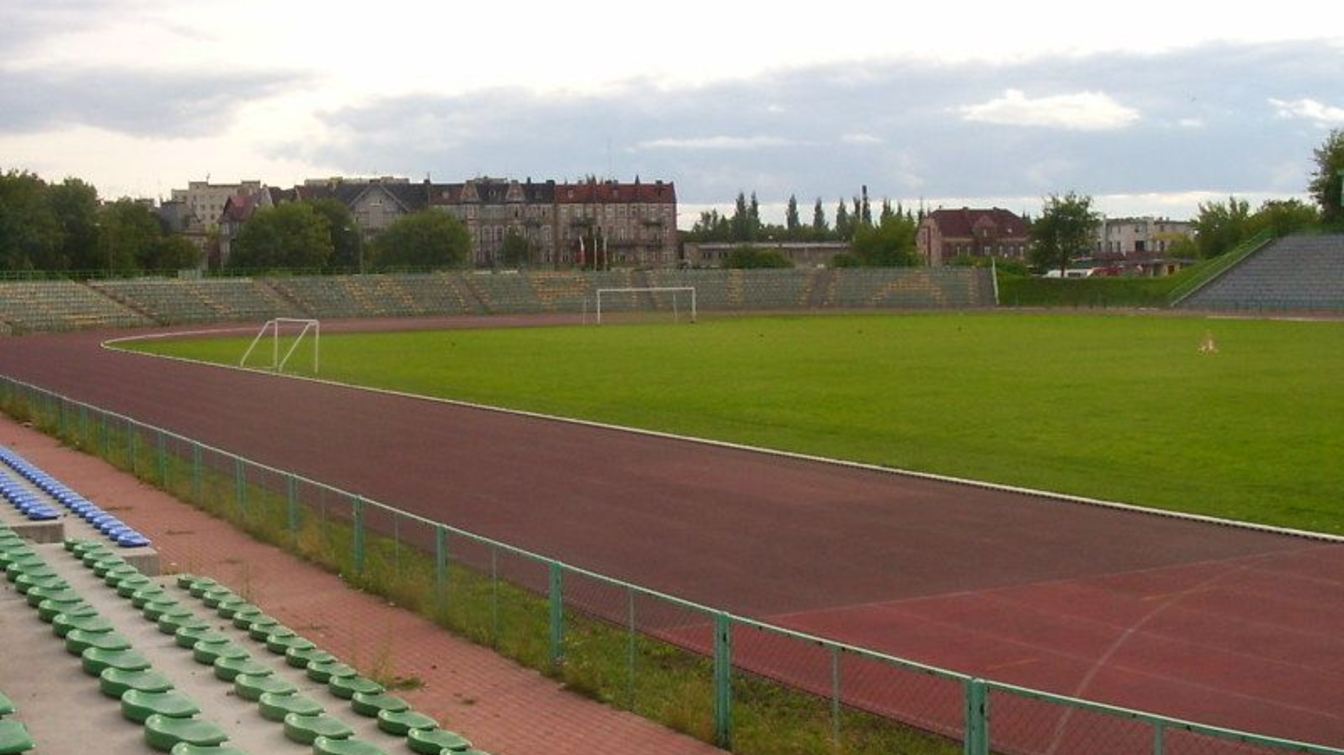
1221, 625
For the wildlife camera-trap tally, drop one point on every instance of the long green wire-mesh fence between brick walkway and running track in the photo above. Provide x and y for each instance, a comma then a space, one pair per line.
730, 680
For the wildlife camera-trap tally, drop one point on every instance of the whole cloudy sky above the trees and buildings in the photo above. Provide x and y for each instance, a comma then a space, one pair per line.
1150, 108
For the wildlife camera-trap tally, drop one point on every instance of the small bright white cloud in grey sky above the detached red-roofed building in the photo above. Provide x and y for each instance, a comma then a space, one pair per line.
1085, 111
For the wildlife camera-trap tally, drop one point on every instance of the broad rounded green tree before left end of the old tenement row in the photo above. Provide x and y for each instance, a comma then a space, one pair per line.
291, 236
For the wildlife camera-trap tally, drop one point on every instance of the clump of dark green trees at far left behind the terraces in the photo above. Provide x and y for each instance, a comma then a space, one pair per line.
65, 228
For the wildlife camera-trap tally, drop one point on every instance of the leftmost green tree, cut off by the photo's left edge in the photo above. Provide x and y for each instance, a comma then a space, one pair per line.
30, 232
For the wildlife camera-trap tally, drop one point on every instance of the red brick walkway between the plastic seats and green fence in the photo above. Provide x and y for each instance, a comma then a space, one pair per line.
502, 707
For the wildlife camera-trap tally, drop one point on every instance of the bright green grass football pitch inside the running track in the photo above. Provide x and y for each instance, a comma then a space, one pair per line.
1115, 408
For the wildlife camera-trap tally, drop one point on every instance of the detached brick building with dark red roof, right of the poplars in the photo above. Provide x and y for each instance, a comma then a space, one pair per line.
947, 234
